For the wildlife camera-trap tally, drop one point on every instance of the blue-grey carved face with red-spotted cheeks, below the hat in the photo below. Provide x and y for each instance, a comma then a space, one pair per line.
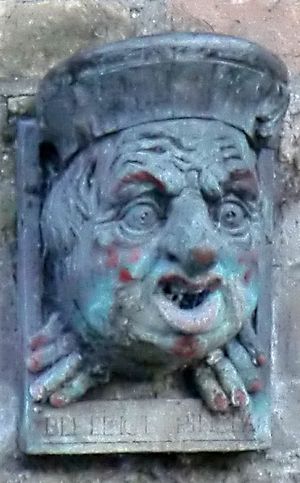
156, 232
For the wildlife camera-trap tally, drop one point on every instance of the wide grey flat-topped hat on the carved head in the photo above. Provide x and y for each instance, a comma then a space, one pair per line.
106, 89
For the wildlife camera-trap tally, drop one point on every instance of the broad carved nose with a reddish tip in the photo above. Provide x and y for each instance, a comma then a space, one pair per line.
190, 238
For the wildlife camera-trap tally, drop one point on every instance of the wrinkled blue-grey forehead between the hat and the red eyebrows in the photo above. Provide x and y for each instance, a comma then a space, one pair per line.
187, 143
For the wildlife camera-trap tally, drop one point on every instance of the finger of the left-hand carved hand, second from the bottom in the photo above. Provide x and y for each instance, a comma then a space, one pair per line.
54, 377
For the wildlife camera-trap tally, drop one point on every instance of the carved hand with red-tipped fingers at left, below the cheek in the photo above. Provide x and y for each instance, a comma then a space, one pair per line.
64, 374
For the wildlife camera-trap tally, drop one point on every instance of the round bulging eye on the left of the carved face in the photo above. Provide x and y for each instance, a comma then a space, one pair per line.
141, 217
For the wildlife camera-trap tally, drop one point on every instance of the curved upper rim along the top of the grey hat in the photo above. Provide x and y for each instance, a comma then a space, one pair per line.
220, 46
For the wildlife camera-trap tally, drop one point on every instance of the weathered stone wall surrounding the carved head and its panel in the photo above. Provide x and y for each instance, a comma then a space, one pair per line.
34, 35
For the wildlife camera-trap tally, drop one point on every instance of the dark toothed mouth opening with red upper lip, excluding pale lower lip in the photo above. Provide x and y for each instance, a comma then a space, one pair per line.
184, 294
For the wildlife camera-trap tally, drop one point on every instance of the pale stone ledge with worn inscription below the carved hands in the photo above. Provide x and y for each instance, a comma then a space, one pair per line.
134, 426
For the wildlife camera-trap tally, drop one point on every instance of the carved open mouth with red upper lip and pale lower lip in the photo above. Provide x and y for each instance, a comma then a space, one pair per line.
187, 306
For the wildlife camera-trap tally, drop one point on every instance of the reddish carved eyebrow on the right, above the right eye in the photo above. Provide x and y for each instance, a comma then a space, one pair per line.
243, 182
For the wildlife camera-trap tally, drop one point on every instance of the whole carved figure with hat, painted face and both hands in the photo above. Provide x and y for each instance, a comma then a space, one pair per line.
152, 220
